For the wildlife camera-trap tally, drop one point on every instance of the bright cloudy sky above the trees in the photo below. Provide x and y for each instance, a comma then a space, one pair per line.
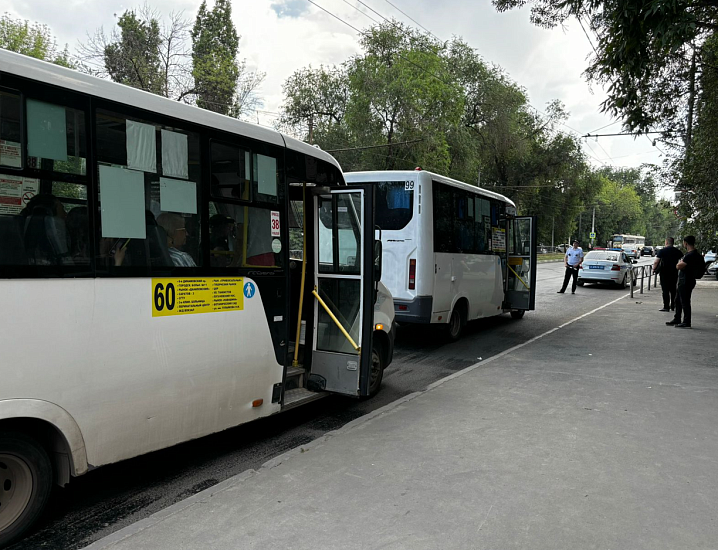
279, 37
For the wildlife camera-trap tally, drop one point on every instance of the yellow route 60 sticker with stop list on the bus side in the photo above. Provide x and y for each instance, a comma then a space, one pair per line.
176, 296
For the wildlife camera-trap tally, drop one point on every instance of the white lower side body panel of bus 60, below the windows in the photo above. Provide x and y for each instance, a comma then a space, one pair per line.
134, 383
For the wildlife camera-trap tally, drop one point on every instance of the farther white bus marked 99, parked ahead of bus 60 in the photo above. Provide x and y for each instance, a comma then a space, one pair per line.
452, 252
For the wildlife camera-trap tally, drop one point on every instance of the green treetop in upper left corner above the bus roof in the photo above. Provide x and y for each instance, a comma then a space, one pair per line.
32, 39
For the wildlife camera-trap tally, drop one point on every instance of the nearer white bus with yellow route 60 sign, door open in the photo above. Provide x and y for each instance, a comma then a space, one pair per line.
148, 293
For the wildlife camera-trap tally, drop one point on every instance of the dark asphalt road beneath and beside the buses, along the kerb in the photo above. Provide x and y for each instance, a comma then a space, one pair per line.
115, 496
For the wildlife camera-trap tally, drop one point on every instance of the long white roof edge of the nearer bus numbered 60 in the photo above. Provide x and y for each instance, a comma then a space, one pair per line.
62, 77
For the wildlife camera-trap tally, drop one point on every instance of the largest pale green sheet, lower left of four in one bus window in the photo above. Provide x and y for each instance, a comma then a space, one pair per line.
122, 203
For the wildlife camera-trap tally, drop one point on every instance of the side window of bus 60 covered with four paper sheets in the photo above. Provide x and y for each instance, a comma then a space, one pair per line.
149, 194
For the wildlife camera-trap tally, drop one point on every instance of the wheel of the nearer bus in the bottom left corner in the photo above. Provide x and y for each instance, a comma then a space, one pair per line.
25, 484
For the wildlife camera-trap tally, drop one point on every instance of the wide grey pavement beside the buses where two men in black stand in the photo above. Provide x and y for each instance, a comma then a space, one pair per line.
601, 433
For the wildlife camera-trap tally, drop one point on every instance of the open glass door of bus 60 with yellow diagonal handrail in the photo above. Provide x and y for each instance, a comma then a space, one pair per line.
344, 275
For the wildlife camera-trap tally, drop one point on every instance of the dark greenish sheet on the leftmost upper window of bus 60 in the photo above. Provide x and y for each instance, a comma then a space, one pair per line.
46, 130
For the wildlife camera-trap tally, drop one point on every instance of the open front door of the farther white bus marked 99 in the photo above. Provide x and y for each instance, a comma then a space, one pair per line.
520, 291
